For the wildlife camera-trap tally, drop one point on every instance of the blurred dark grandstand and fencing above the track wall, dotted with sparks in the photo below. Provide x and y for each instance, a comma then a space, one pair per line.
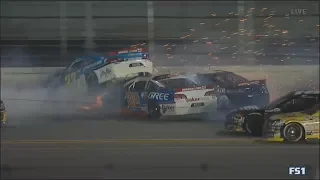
40, 33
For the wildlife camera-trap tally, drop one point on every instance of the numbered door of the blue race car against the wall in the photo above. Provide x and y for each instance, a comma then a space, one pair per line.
73, 73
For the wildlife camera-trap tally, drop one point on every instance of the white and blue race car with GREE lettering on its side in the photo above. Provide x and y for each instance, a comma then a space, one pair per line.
160, 96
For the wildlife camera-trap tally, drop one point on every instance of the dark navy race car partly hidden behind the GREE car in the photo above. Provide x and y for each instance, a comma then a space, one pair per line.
234, 90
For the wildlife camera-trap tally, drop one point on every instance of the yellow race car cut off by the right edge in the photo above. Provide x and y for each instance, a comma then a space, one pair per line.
293, 127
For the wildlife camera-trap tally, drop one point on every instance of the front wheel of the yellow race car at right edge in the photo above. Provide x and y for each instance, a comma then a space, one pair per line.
293, 132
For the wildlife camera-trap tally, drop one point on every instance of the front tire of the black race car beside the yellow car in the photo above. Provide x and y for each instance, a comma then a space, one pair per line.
253, 125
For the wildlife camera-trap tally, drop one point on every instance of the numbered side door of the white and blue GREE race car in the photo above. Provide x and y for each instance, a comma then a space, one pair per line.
134, 95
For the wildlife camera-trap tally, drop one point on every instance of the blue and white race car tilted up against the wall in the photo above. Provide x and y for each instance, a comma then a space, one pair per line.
90, 72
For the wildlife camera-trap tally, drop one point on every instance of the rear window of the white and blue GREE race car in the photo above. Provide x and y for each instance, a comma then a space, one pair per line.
178, 83
